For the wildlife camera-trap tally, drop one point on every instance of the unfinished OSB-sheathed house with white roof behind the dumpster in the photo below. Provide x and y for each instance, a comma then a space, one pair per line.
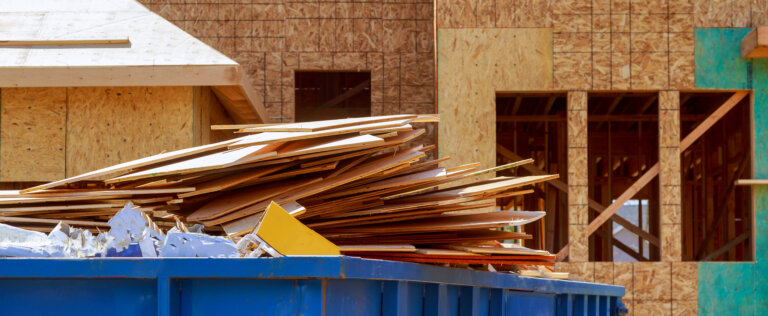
652, 112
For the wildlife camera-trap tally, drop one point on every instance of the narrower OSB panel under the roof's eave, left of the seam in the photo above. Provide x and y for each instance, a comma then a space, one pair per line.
32, 133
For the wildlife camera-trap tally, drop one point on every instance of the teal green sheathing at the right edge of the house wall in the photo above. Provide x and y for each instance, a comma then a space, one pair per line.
737, 288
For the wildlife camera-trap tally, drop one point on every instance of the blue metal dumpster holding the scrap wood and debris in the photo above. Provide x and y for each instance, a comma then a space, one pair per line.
285, 286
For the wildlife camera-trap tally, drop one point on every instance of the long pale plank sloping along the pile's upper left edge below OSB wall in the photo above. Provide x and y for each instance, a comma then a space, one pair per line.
133, 165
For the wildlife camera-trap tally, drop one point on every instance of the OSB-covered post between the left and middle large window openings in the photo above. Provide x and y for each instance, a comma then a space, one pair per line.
577, 176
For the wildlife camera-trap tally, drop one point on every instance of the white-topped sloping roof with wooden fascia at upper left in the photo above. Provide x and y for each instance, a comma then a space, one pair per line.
72, 50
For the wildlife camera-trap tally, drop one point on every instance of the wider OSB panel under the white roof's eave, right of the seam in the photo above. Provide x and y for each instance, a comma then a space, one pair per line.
107, 126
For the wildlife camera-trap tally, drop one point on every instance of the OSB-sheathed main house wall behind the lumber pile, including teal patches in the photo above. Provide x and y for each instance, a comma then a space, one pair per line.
503, 45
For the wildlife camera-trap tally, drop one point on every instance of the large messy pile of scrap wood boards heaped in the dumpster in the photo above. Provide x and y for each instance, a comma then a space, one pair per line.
359, 182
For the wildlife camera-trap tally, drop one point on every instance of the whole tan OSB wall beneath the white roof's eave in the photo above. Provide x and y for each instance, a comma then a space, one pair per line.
48, 134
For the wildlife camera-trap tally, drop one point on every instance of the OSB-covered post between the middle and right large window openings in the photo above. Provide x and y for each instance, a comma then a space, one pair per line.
669, 175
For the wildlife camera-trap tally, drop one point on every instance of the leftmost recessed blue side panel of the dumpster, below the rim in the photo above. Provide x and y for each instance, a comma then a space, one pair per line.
70, 296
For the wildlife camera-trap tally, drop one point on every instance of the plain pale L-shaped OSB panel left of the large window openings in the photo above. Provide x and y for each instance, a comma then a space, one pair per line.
474, 64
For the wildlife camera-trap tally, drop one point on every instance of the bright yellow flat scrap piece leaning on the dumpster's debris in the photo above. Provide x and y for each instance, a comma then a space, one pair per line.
290, 237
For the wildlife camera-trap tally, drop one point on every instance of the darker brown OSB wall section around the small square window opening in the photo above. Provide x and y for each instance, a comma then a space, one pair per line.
393, 39
